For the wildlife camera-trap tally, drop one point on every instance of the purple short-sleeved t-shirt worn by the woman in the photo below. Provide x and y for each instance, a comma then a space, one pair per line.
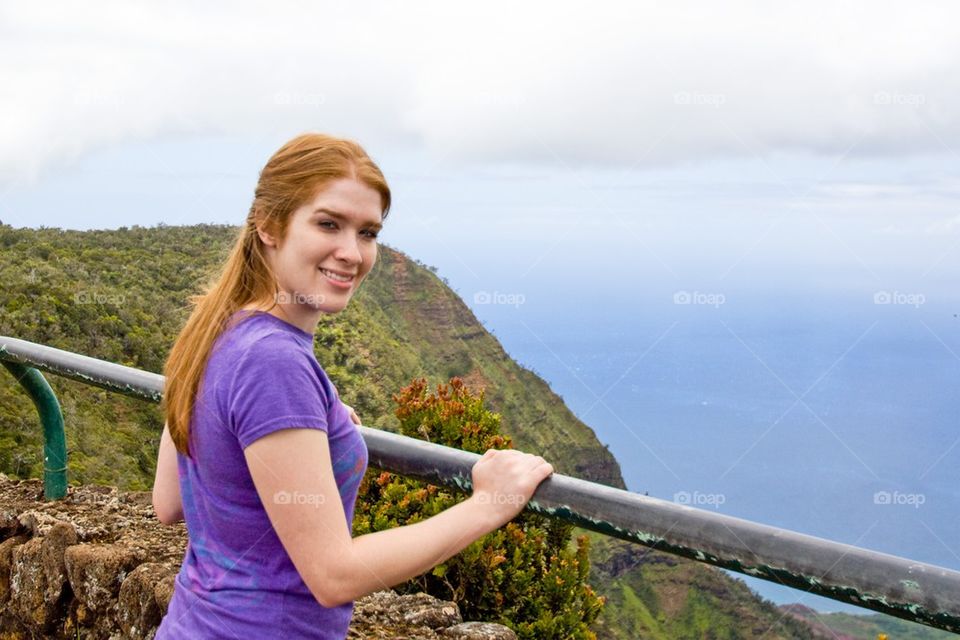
237, 580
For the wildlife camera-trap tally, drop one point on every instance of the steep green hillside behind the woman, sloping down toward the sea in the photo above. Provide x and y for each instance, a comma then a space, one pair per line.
121, 295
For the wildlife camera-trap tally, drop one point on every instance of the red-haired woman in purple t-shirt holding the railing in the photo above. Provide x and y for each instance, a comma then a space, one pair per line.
259, 456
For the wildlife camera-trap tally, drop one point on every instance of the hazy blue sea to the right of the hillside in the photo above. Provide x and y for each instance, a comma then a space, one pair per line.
831, 414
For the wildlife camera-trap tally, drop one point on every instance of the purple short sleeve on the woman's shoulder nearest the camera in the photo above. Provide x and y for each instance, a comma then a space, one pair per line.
276, 386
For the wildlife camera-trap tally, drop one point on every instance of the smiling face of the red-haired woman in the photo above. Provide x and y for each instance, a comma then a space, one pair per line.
329, 248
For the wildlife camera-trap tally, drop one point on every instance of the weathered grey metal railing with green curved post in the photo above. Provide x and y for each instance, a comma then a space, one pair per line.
896, 586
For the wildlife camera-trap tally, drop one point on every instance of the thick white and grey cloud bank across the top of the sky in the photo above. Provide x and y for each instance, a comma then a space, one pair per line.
625, 84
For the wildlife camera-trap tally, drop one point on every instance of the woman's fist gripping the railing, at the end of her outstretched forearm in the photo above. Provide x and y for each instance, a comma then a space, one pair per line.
505, 479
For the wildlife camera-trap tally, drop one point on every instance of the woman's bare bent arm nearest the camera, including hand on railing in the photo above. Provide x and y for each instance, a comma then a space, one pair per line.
294, 477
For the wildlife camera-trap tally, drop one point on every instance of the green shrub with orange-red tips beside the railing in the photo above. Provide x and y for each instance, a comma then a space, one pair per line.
526, 575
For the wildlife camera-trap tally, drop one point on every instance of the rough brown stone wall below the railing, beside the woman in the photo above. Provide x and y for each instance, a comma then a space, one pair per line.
99, 566
